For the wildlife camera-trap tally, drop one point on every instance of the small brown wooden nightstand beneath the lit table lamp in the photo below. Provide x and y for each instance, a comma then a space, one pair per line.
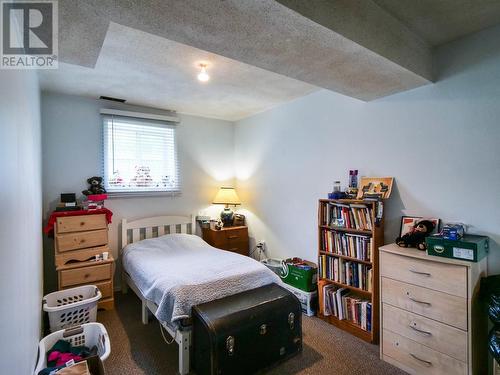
233, 239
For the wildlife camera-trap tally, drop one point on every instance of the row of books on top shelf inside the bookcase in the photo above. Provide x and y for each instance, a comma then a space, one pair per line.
348, 215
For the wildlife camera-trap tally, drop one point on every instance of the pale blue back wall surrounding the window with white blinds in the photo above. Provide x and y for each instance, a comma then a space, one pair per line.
72, 152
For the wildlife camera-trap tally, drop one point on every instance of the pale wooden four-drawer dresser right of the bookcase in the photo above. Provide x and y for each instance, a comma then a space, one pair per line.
430, 318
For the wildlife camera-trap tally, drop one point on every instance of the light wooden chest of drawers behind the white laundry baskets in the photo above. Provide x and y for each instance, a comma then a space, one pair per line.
77, 240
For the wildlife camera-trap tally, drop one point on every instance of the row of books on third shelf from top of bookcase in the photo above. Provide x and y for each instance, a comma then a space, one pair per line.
345, 272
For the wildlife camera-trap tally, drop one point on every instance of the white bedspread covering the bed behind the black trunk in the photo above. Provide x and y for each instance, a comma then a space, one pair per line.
178, 271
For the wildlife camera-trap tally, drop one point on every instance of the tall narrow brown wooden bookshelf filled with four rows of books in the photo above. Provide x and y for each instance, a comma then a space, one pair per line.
349, 236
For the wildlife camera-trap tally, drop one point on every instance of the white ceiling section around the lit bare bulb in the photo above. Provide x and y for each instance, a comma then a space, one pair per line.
149, 70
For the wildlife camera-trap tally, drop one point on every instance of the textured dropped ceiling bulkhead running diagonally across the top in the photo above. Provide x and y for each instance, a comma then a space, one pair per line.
265, 34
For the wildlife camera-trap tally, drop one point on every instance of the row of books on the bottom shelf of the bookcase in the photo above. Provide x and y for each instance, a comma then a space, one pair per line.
344, 305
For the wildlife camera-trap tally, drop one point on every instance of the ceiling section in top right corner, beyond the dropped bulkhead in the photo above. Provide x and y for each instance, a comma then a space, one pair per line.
441, 21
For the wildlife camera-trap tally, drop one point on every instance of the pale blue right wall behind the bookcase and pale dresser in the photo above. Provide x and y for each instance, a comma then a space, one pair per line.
440, 142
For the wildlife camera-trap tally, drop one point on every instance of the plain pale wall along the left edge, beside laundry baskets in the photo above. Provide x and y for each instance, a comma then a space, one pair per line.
20, 225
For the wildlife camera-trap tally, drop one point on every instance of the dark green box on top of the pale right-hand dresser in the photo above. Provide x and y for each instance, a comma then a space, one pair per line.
471, 247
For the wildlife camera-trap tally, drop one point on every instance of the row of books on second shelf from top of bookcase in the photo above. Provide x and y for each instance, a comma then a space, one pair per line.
347, 244
